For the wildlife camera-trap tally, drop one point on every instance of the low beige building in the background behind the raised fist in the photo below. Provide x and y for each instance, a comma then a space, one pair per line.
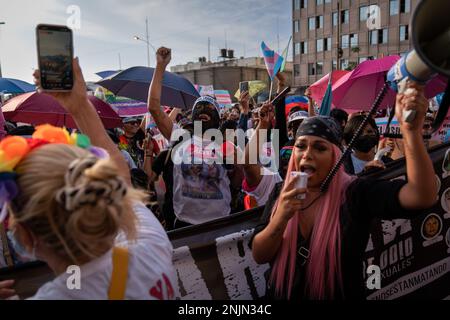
227, 75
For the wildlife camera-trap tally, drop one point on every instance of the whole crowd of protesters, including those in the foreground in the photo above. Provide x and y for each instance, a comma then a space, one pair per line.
86, 207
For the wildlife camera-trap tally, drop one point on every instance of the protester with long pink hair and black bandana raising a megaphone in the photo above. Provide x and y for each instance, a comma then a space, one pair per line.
315, 246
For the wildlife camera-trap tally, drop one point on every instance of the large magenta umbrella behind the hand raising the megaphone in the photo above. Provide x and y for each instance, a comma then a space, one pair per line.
358, 89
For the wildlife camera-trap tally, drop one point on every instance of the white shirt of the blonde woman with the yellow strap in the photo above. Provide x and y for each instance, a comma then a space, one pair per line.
151, 275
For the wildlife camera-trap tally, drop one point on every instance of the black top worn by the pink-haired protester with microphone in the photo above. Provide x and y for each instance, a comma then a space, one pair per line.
366, 200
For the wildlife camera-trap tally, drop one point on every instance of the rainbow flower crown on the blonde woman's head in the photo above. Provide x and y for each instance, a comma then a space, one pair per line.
14, 149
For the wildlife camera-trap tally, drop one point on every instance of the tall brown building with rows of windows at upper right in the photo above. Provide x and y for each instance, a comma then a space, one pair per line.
339, 34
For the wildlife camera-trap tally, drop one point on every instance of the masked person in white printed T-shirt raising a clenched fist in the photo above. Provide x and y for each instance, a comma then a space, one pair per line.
201, 186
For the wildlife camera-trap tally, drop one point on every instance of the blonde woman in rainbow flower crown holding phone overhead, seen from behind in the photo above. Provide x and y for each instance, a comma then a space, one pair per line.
76, 206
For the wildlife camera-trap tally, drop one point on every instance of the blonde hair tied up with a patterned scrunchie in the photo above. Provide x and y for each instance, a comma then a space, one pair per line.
73, 202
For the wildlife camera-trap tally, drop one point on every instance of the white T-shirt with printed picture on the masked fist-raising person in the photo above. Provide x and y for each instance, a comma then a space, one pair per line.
201, 187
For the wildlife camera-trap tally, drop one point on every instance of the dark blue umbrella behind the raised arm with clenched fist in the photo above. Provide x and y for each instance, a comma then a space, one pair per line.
134, 83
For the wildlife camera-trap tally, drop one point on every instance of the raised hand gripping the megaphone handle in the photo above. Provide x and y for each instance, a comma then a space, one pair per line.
411, 107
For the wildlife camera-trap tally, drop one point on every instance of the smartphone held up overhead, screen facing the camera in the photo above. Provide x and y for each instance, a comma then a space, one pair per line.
55, 55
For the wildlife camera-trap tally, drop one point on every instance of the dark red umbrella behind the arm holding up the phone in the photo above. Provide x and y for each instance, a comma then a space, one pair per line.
35, 108
